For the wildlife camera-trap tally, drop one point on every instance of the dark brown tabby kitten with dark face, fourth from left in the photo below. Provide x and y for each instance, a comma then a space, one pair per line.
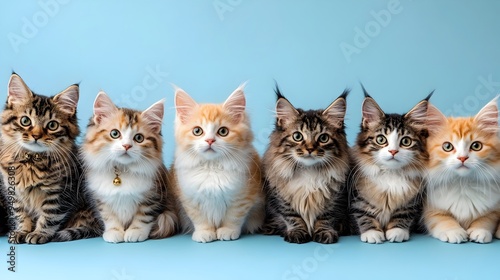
306, 166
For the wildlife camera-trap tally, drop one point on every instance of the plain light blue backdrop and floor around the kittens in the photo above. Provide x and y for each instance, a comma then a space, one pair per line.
210, 47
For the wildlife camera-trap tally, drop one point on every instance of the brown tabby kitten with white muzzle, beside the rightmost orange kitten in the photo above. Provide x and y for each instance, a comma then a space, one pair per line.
389, 164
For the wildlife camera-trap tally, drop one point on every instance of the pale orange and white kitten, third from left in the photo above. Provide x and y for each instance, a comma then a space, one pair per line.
217, 172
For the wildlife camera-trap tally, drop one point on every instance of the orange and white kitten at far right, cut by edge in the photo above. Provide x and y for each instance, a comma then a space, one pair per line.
463, 192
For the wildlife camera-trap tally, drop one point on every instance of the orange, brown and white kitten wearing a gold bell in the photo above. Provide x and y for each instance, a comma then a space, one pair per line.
125, 172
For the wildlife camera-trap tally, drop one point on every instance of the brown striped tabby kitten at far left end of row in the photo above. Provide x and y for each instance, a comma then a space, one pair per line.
38, 158
